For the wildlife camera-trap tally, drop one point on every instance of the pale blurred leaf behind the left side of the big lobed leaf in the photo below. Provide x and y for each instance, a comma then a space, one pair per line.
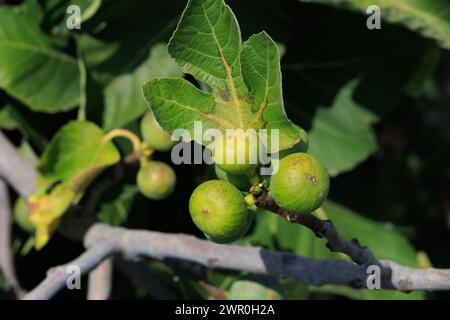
123, 96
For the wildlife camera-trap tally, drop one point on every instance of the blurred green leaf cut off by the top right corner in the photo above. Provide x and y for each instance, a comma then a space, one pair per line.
430, 18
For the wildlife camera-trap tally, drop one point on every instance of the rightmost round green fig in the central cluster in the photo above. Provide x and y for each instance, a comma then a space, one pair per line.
301, 183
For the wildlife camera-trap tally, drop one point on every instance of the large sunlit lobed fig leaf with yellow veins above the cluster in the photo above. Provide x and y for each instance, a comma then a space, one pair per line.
207, 44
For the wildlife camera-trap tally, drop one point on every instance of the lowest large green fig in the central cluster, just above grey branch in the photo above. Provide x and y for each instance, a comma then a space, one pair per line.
219, 210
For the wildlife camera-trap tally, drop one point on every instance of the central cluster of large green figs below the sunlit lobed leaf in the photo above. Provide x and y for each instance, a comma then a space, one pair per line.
219, 207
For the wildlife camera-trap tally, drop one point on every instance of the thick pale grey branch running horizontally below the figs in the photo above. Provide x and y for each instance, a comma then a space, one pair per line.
103, 241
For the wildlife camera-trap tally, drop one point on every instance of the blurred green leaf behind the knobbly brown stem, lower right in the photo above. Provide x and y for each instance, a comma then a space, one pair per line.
386, 242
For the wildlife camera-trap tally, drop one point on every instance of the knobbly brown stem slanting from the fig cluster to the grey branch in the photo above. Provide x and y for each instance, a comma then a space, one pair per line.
323, 229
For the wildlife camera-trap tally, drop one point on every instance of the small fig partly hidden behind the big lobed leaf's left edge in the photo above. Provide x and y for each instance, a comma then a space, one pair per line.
154, 135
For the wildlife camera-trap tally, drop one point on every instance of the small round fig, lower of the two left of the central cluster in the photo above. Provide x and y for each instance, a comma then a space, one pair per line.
156, 180
